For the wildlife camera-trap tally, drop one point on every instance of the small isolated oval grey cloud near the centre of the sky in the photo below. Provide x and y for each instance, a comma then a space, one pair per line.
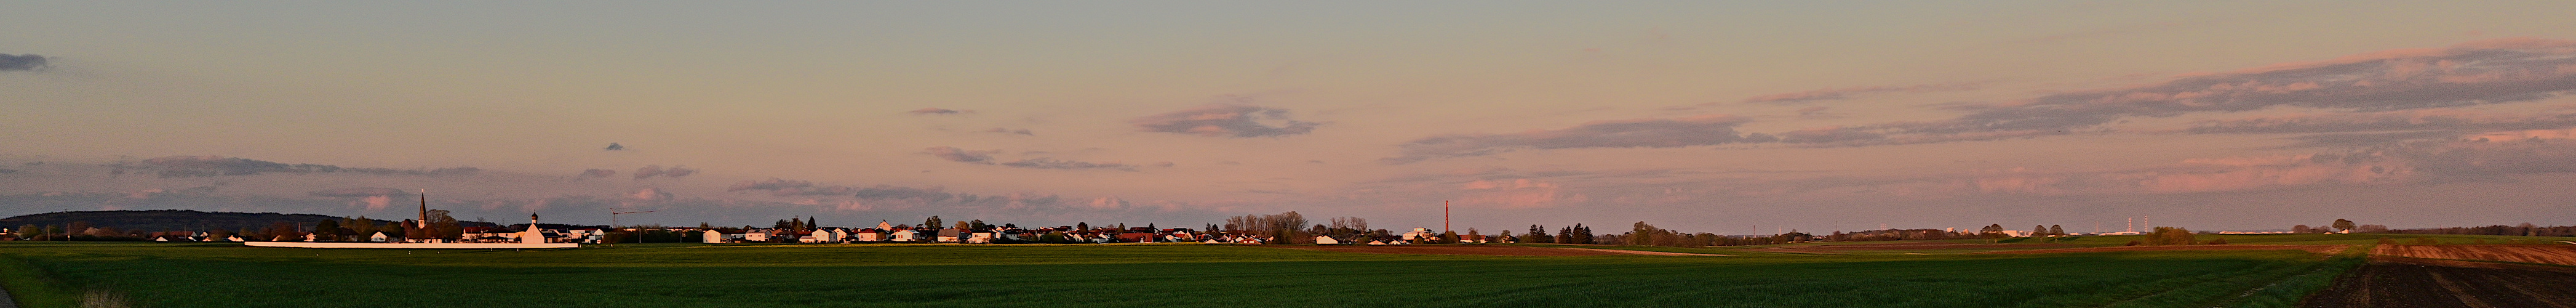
1225, 120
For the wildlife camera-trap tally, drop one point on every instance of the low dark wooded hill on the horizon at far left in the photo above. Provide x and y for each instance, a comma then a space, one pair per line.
174, 219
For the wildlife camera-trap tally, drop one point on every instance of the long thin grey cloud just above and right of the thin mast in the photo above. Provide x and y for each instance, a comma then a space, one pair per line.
1622, 133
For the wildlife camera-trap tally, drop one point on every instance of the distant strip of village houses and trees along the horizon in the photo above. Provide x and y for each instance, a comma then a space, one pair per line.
434, 226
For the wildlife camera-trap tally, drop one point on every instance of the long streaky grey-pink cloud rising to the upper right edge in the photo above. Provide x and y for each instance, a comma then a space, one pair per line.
2405, 79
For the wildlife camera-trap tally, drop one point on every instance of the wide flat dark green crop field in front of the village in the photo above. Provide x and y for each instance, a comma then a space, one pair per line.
668, 276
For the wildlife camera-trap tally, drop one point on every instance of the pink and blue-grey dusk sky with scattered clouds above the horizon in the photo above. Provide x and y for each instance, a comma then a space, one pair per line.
1707, 118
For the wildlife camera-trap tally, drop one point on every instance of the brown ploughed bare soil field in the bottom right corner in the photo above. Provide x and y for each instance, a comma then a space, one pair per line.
2430, 283
